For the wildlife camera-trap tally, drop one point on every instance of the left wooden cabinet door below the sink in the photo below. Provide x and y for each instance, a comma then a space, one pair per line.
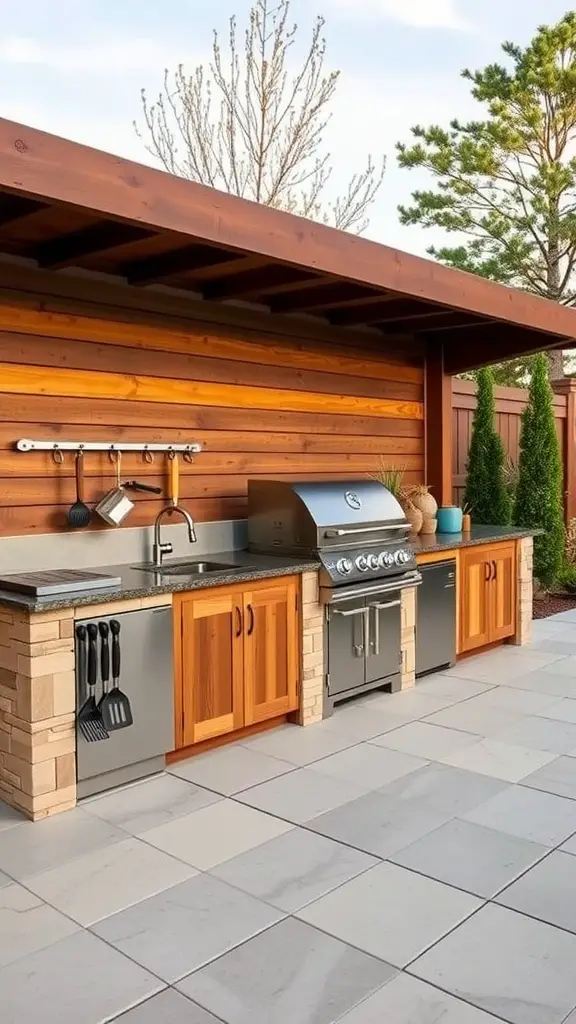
212, 665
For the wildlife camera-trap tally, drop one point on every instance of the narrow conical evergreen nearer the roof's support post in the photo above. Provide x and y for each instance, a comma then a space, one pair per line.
486, 492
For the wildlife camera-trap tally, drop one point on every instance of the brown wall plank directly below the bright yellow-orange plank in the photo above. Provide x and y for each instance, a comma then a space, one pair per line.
162, 421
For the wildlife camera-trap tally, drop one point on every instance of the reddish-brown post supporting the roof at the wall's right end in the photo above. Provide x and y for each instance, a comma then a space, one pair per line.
438, 425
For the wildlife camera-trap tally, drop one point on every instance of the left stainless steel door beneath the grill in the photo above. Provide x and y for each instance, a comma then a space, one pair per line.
348, 638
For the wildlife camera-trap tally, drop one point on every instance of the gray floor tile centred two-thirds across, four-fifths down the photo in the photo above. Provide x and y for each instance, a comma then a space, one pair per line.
379, 825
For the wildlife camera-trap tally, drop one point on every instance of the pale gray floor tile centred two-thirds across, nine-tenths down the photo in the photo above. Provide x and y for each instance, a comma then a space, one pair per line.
391, 913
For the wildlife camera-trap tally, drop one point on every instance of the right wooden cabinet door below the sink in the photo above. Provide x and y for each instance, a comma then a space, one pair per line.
271, 651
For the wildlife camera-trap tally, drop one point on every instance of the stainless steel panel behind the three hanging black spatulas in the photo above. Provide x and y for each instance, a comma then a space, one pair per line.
147, 678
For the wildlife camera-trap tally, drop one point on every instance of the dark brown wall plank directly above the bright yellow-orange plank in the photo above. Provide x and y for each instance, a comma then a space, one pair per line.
54, 353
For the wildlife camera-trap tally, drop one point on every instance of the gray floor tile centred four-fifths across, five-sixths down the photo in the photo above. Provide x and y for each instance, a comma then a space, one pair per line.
480, 861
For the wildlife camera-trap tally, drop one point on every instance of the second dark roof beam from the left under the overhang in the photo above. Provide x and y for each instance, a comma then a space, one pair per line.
69, 249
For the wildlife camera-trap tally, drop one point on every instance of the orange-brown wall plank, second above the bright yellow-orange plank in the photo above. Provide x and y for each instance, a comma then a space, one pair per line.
205, 342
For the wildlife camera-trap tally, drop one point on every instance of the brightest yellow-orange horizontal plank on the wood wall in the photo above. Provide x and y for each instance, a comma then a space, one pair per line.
77, 383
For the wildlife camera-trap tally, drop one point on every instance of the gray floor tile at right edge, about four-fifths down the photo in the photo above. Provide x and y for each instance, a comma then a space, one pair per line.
541, 818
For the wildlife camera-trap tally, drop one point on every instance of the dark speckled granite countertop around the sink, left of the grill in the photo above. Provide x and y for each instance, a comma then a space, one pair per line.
138, 582
